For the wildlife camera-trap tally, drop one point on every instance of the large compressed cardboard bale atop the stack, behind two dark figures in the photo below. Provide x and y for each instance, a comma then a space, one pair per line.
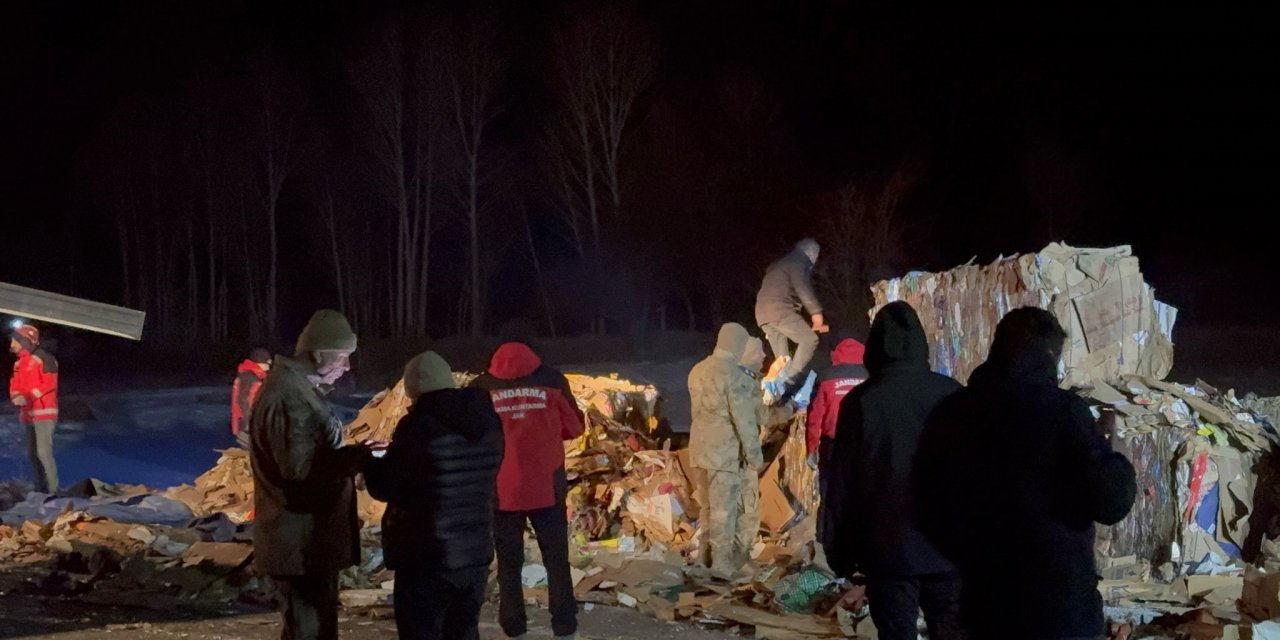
1114, 323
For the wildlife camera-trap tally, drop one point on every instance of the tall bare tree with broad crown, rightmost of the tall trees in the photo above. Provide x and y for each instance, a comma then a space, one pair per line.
605, 61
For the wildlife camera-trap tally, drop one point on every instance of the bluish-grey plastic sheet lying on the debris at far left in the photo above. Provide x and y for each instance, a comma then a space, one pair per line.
129, 510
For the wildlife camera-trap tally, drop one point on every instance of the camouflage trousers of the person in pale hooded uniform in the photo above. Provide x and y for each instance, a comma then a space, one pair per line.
734, 500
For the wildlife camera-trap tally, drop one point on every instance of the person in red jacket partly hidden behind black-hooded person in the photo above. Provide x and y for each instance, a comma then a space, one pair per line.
847, 372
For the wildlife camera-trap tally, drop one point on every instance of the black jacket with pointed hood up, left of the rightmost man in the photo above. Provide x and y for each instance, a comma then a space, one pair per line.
881, 422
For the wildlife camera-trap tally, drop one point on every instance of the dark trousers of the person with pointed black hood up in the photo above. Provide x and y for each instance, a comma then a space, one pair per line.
897, 605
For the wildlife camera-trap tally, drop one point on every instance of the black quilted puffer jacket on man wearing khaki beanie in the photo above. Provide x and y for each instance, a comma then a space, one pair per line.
438, 481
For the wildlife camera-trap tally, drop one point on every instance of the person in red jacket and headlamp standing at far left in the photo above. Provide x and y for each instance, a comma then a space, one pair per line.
34, 390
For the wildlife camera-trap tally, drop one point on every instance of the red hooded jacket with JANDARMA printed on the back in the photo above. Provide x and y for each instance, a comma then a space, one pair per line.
538, 415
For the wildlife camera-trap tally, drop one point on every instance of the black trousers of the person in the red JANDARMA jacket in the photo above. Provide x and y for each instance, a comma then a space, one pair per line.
552, 532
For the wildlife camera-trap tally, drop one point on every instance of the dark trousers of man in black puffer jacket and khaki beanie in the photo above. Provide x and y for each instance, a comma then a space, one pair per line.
440, 605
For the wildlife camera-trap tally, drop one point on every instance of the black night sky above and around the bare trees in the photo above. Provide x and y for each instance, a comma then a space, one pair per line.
1151, 127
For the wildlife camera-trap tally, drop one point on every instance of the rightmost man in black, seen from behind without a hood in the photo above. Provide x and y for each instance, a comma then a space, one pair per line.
1012, 476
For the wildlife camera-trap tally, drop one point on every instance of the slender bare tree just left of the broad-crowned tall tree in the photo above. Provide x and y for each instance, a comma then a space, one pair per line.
476, 70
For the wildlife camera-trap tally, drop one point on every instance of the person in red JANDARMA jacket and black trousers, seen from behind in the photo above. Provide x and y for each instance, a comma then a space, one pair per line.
537, 419
